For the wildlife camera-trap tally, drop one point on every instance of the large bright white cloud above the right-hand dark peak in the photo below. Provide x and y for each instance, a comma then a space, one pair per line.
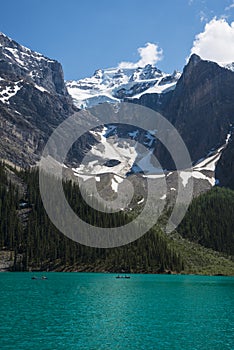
216, 42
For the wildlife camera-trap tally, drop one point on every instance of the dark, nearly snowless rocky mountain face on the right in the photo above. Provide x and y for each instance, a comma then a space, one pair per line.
201, 107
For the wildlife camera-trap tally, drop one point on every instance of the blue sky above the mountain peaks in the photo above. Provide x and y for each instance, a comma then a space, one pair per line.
85, 35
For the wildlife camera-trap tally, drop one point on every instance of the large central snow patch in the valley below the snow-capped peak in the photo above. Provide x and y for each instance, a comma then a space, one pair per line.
120, 156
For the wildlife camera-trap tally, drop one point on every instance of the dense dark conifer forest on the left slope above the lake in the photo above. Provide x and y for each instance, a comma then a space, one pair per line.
43, 247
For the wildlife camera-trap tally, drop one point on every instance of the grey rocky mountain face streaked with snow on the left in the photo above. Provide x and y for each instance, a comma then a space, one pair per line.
33, 101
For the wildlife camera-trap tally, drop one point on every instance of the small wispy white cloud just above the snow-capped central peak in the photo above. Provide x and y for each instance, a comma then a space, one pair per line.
149, 54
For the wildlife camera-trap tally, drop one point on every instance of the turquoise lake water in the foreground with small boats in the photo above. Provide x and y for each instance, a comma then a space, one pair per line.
98, 311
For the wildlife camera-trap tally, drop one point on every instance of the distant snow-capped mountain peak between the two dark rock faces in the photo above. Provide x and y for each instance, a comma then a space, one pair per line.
115, 84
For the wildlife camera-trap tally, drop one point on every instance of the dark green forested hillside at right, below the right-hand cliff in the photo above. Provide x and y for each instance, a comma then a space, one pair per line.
210, 220
